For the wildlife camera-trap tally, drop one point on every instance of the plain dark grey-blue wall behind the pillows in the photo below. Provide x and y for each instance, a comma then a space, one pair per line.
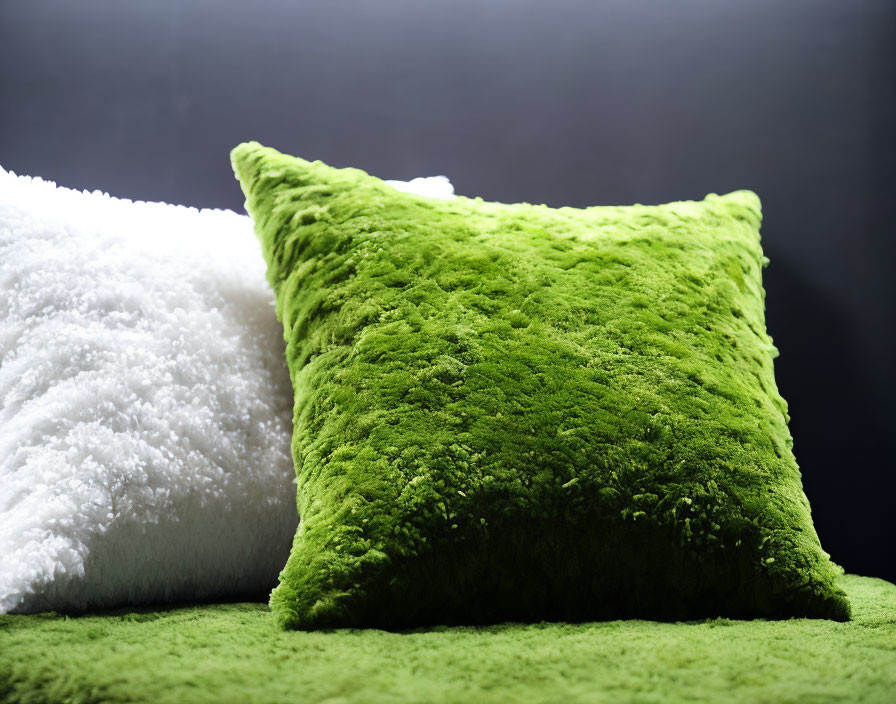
565, 103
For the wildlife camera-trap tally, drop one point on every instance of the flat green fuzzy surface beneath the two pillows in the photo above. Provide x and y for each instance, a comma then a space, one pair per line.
235, 653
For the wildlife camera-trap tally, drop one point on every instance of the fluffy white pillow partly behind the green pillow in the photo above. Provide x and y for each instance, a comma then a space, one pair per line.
145, 405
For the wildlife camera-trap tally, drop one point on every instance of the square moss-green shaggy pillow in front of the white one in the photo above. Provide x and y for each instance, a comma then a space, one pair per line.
515, 412
